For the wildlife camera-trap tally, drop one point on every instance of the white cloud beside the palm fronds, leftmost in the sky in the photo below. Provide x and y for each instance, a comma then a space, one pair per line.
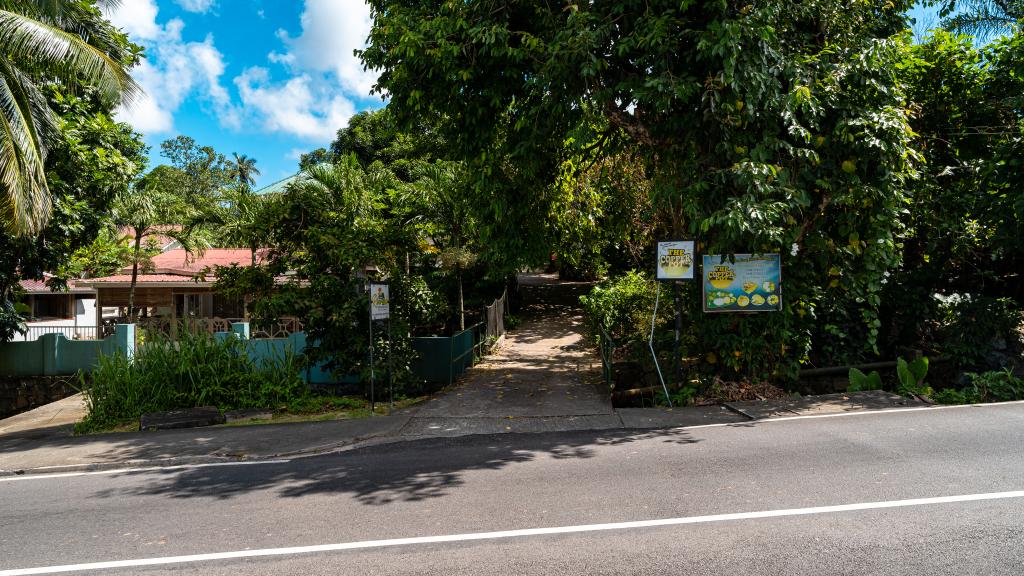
173, 71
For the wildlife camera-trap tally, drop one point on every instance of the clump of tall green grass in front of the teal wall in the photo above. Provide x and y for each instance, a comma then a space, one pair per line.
196, 371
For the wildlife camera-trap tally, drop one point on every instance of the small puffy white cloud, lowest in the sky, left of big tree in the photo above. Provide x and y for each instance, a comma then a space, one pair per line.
300, 107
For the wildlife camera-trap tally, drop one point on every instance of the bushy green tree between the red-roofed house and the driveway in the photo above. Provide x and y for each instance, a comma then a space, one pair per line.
325, 236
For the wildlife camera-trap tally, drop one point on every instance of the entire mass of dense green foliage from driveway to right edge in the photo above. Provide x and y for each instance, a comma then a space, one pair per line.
884, 173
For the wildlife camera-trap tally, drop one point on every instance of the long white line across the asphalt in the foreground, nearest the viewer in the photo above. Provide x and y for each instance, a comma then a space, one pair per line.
509, 534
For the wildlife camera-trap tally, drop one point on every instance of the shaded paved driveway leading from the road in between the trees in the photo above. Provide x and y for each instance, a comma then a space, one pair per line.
544, 379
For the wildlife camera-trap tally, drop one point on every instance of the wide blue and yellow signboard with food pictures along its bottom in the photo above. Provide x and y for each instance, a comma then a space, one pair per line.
753, 283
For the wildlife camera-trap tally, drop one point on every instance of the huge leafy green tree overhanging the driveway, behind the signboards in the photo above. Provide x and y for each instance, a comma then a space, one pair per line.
771, 128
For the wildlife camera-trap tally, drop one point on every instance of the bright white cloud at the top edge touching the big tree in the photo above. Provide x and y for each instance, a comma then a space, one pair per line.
331, 31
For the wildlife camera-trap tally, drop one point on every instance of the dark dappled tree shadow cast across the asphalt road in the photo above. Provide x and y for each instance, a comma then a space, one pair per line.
379, 476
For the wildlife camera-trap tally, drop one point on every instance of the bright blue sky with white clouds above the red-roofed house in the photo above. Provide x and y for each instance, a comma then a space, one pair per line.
271, 79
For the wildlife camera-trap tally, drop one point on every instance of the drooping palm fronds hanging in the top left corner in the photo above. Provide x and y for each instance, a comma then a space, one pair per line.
44, 42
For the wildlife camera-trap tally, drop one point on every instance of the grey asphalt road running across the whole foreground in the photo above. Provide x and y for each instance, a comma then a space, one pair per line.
464, 486
